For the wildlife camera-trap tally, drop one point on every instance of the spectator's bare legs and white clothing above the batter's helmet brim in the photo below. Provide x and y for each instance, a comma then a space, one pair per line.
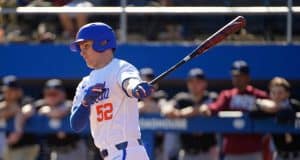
67, 20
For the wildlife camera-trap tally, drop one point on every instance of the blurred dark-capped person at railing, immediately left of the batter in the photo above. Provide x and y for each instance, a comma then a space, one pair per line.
60, 145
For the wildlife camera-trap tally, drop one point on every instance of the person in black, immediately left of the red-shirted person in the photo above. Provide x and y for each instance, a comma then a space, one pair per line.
195, 146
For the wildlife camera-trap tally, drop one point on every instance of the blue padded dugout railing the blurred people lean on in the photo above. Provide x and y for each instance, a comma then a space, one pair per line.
224, 122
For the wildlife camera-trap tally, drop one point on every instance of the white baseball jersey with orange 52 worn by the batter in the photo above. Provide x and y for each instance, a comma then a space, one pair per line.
114, 118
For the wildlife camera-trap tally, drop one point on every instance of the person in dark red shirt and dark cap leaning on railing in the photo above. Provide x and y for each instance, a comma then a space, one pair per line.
242, 97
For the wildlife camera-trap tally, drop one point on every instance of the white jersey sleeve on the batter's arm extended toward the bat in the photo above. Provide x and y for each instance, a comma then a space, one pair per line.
126, 72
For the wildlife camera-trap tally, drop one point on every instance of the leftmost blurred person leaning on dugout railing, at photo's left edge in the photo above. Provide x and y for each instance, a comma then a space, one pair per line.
19, 144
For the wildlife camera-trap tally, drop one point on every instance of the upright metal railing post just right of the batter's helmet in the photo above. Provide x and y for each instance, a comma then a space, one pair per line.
123, 22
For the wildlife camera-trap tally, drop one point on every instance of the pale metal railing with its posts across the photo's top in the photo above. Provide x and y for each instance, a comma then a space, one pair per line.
124, 11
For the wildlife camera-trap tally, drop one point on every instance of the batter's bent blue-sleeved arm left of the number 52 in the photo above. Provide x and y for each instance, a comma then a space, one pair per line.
79, 118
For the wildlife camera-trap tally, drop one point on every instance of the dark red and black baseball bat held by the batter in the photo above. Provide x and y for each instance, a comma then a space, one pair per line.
233, 26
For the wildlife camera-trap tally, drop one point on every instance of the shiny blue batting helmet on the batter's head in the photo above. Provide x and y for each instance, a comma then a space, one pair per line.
101, 34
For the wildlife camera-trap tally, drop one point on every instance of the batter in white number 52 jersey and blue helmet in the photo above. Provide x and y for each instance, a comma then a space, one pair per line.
107, 97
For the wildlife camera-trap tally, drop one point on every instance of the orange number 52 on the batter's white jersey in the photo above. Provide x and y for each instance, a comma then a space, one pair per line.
104, 111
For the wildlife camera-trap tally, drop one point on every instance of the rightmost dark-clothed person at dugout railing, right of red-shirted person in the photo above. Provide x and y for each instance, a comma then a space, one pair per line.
287, 145
